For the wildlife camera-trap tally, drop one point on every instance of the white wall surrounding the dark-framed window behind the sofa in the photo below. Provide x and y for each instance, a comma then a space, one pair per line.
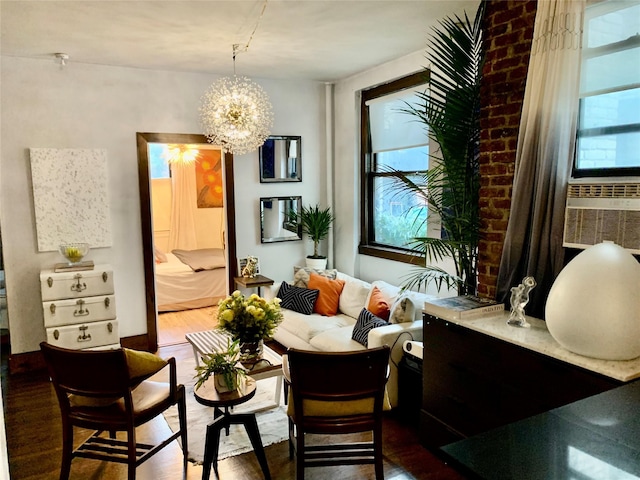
347, 174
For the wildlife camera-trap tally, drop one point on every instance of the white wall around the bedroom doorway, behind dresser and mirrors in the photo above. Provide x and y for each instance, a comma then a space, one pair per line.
94, 106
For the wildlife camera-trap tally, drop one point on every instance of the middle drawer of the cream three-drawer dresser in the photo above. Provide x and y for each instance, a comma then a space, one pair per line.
72, 311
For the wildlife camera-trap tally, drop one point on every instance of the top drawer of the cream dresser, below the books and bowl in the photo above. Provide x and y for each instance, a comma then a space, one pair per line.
88, 283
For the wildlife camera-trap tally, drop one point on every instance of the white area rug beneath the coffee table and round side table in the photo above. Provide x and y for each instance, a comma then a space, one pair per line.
272, 423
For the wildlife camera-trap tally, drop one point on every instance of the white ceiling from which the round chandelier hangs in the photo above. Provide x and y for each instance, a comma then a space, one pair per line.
302, 39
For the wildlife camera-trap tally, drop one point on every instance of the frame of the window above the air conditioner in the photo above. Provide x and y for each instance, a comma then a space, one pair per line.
622, 45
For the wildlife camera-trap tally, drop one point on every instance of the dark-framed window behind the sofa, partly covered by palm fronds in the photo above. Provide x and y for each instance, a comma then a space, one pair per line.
392, 139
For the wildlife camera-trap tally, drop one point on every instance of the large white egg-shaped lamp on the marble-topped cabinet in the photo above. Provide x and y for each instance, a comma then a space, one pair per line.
593, 308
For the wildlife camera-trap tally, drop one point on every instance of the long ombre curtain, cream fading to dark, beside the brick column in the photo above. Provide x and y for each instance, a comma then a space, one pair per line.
544, 154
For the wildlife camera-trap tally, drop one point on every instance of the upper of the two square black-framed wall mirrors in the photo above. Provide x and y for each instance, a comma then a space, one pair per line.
281, 159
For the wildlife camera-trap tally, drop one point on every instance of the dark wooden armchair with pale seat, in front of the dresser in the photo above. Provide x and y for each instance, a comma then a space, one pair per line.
95, 391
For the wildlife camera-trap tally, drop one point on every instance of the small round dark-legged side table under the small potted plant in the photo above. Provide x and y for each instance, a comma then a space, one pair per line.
209, 396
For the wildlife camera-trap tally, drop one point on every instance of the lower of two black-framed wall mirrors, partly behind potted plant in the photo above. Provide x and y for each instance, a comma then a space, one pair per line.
278, 219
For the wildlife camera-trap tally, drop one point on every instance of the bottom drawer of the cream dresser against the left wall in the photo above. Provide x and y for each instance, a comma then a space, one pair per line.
84, 335
